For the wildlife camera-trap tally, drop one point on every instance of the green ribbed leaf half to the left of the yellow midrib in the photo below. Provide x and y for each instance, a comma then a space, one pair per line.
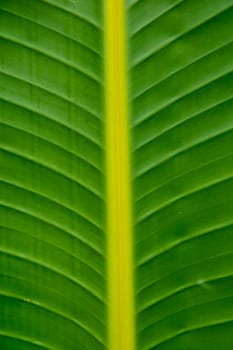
52, 225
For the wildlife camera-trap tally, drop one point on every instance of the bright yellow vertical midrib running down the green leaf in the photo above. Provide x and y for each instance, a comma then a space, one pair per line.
119, 228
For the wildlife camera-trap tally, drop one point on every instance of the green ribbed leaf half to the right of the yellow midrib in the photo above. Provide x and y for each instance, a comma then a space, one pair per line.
181, 87
